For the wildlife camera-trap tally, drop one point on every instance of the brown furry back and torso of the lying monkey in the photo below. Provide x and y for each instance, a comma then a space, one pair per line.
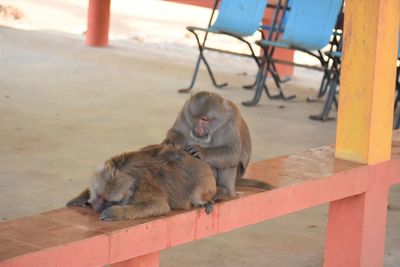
171, 173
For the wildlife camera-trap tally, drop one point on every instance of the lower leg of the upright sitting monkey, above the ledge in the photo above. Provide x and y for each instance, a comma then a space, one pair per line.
226, 184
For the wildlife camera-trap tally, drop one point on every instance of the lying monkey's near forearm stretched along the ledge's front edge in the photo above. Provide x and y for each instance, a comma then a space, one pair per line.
154, 206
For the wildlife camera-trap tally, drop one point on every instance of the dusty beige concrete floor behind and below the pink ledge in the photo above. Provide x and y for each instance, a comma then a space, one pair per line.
66, 107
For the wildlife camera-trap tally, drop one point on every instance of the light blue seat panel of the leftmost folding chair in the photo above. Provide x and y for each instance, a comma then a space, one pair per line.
240, 17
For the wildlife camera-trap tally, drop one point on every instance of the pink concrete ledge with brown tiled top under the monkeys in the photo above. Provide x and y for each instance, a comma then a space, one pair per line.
75, 236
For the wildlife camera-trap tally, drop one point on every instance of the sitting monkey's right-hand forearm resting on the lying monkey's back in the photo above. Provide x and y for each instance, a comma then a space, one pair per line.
220, 157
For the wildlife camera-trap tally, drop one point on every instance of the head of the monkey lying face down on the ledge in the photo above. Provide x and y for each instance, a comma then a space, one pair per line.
110, 187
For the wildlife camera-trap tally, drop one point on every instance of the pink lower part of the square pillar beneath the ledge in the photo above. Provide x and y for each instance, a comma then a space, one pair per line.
356, 228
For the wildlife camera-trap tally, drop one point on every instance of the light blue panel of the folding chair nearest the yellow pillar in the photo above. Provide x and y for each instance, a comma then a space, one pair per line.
310, 23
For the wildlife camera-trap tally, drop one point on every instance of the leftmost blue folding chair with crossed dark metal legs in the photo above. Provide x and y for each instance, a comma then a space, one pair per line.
236, 18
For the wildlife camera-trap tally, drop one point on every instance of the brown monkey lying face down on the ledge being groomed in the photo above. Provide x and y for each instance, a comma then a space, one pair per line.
149, 182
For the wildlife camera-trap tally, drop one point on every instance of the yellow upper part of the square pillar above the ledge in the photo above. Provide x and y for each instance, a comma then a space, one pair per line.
365, 116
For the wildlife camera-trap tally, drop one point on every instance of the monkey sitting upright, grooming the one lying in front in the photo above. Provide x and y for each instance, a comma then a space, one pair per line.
211, 128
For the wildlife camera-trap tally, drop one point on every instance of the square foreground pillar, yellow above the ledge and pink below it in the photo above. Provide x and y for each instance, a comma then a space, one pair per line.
356, 225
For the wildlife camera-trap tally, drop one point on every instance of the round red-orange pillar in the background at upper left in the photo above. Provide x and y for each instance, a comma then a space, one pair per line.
98, 22
